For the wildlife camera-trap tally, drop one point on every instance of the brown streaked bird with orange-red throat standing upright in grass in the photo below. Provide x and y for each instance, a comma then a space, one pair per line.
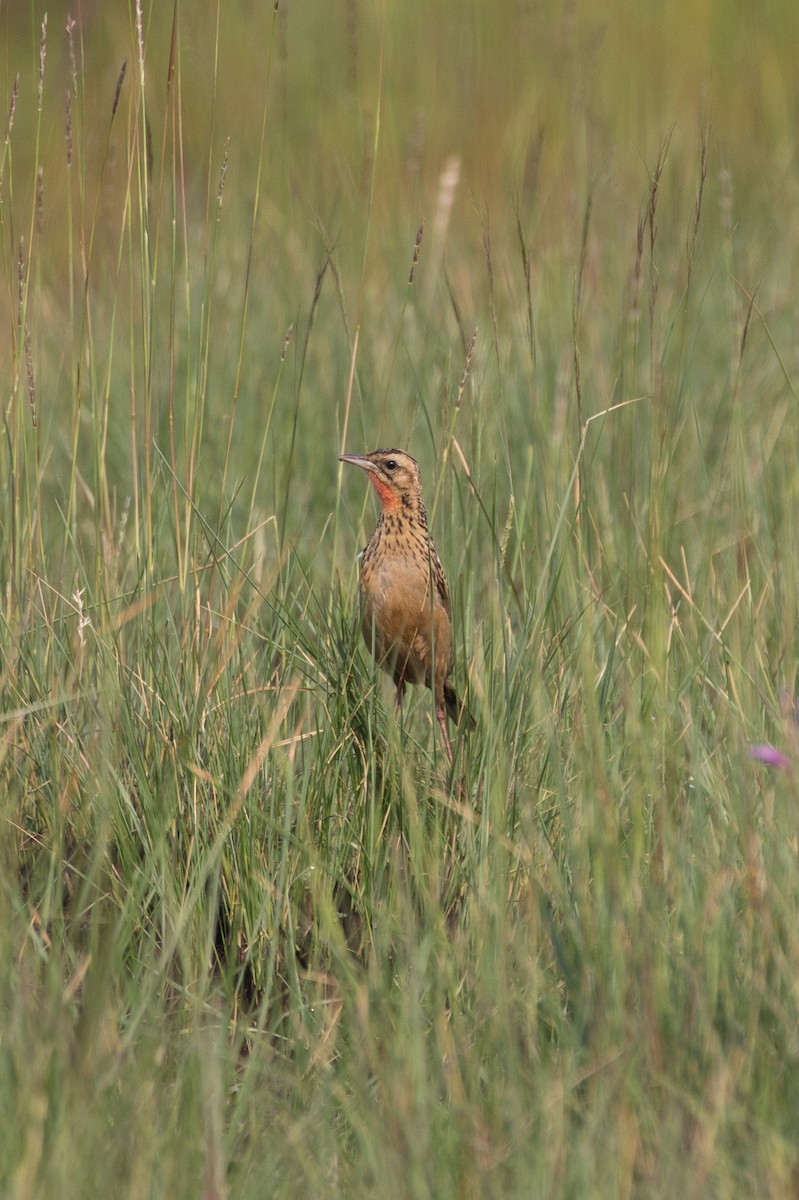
406, 623
